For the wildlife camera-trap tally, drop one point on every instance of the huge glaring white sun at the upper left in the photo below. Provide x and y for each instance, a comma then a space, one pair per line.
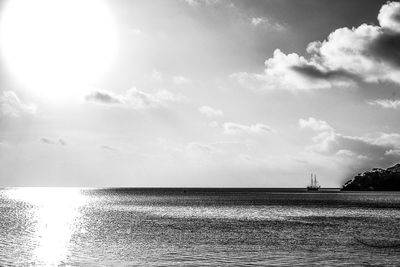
57, 47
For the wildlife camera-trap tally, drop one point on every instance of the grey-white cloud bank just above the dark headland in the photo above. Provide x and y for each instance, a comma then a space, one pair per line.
377, 149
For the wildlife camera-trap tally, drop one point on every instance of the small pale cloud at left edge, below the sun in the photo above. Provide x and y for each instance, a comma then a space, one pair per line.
11, 105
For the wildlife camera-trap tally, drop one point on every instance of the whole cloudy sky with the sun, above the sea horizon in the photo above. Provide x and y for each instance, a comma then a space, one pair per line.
210, 93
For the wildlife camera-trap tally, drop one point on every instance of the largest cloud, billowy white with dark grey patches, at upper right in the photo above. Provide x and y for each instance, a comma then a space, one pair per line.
367, 53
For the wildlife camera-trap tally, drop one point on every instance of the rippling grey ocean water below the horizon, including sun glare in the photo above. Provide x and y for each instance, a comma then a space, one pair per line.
159, 227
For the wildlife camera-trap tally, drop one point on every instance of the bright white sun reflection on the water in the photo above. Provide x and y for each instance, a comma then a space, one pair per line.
55, 210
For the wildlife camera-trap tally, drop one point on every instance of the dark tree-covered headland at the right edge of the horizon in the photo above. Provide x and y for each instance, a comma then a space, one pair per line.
376, 179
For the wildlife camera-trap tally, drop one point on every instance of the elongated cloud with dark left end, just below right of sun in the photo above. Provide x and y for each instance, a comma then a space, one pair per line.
134, 98
